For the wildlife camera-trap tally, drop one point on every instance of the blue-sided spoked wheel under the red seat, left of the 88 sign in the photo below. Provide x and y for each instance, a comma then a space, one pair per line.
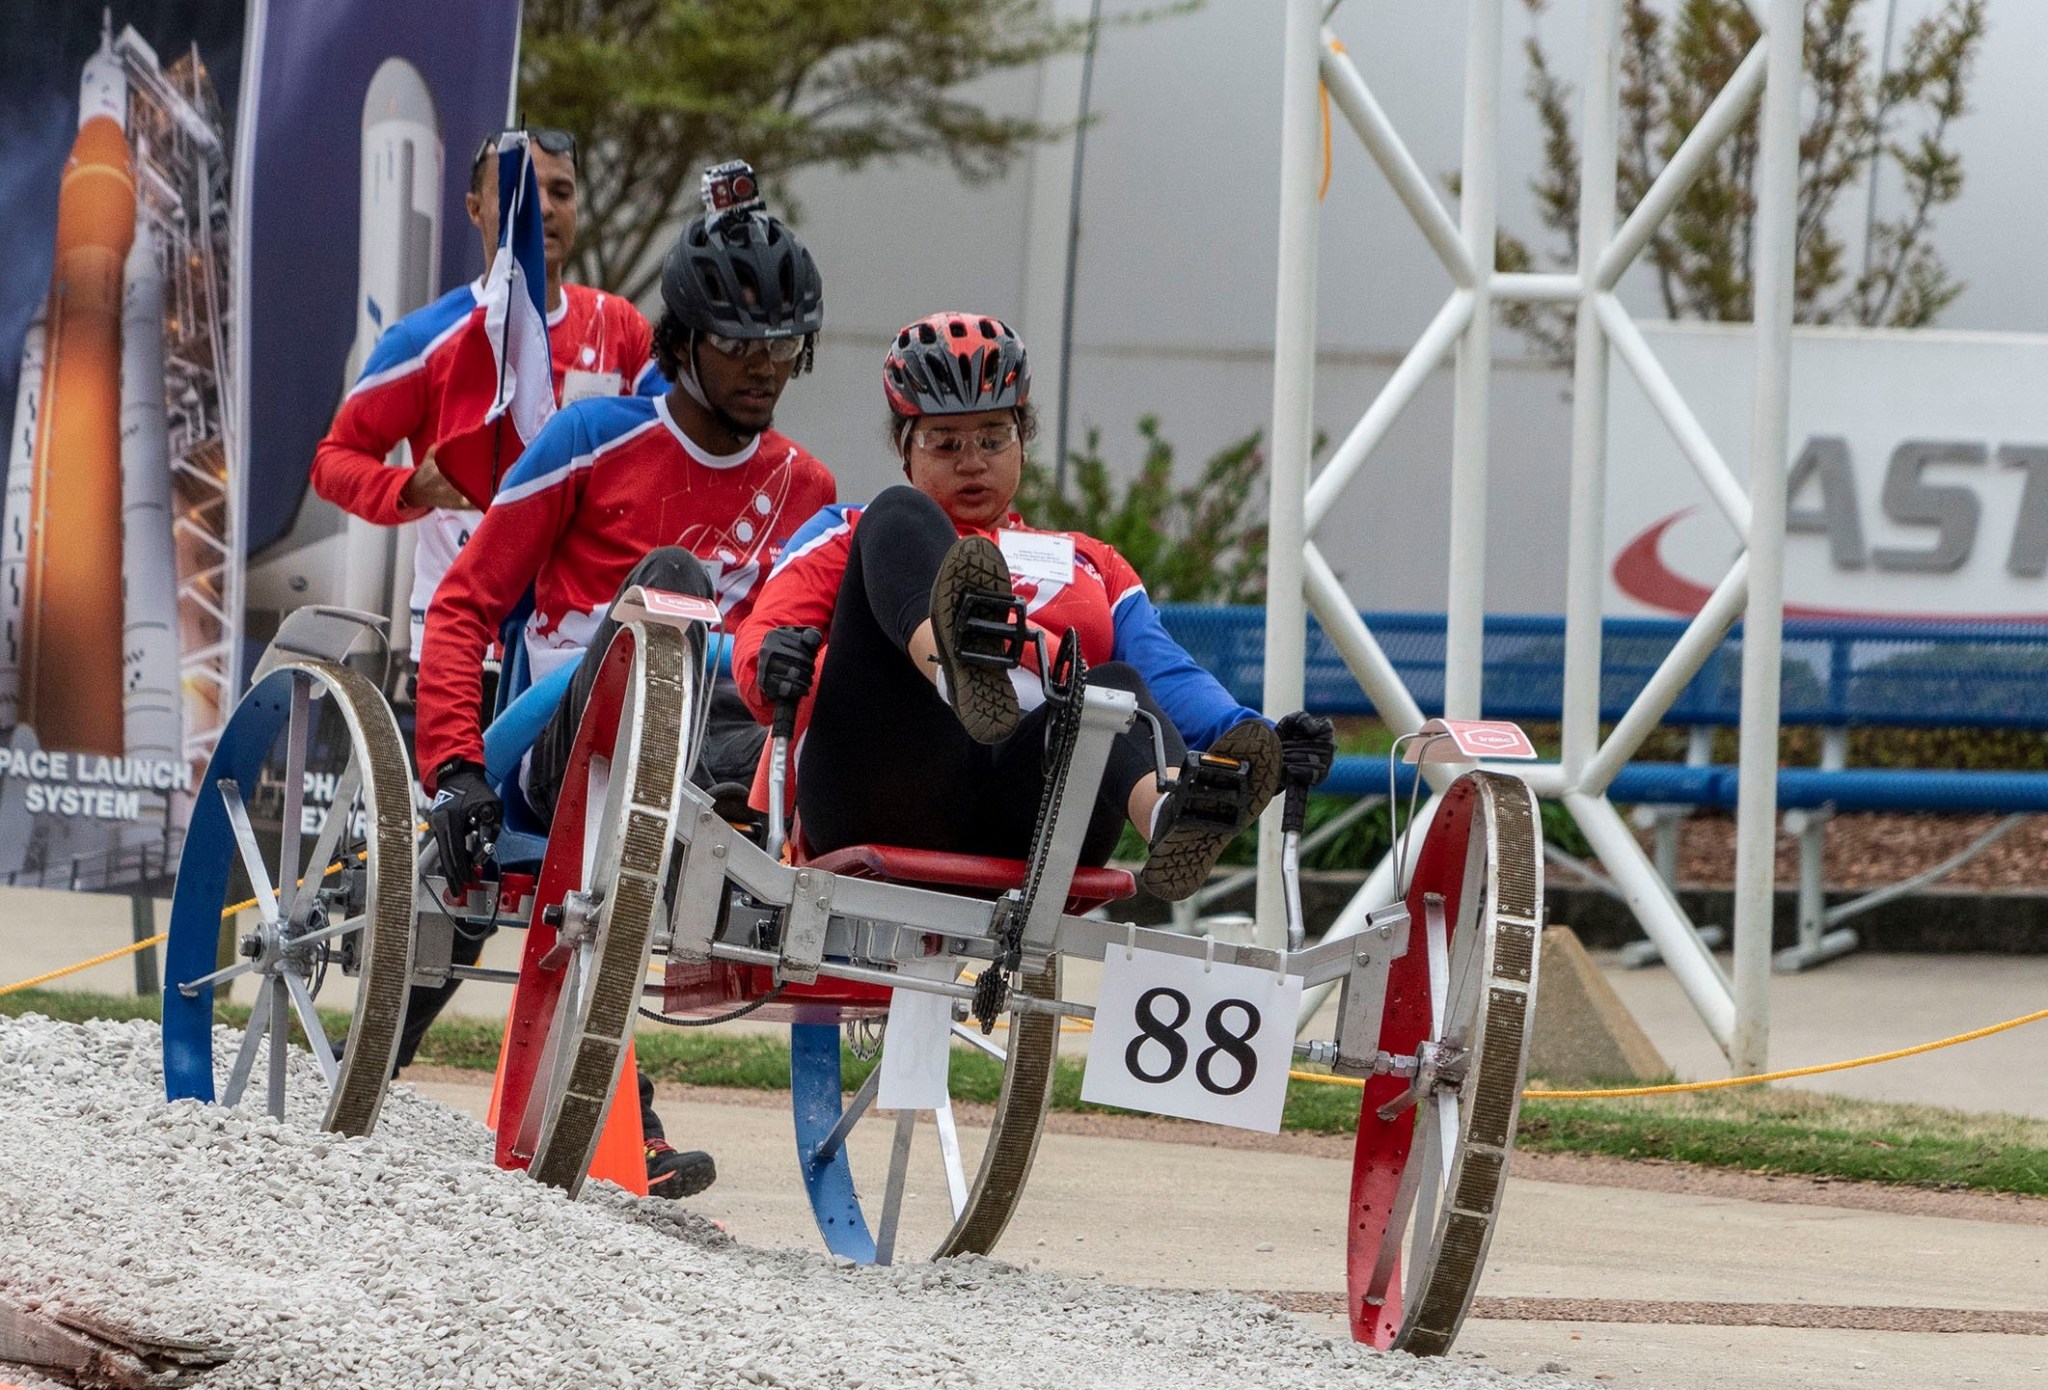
927, 1205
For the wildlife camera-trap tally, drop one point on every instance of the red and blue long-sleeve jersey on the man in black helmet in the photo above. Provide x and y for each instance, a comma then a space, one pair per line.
605, 484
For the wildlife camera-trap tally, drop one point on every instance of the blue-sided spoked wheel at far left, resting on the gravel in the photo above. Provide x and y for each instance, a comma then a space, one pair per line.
345, 906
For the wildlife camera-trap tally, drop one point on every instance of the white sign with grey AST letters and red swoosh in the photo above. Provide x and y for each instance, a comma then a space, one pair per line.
1918, 488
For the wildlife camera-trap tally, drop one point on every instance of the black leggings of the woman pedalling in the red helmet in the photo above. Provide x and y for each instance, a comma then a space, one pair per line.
888, 763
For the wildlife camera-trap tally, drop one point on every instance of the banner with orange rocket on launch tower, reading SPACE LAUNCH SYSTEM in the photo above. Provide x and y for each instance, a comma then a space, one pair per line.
118, 531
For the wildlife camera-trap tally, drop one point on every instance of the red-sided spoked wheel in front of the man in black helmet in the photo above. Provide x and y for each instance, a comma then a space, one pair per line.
597, 906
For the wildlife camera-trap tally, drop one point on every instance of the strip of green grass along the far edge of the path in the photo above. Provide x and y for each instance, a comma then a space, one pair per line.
1752, 1129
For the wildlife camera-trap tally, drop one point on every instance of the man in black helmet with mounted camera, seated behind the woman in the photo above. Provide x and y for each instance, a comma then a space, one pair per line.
689, 492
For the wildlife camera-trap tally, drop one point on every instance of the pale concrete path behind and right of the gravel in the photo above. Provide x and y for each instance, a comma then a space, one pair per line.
1197, 1217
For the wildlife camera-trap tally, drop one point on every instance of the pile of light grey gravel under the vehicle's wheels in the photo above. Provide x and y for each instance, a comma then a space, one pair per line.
409, 1260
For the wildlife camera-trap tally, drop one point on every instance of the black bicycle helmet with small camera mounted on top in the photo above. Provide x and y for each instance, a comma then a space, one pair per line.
740, 273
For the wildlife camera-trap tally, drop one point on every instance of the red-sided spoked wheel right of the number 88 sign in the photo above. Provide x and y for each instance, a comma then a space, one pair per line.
1433, 1149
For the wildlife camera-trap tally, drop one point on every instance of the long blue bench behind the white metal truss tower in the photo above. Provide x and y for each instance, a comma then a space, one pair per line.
1838, 677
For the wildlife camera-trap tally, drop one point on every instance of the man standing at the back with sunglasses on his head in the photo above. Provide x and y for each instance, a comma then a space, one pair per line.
433, 376
